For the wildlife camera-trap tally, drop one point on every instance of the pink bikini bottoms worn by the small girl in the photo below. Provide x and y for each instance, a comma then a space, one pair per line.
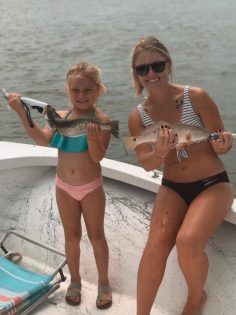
79, 192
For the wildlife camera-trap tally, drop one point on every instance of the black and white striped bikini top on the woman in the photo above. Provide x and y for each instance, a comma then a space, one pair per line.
188, 116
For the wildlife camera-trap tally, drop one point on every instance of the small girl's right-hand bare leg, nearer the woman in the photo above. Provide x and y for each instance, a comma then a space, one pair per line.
93, 207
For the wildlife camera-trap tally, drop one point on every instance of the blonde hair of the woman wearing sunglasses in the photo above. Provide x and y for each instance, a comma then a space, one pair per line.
149, 43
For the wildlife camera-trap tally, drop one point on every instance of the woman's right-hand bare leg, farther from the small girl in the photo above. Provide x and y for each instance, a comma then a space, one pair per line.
204, 216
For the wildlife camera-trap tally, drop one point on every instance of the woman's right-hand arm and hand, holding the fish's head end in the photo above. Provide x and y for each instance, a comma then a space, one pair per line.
209, 113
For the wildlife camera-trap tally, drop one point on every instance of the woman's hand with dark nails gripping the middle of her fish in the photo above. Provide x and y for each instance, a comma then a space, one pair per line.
166, 141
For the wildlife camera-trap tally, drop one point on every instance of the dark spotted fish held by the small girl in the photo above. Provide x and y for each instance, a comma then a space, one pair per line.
75, 127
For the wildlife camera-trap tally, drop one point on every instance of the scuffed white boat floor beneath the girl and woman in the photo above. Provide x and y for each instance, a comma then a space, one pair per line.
29, 207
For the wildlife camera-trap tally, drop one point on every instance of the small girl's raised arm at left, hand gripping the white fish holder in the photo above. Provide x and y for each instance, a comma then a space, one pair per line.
41, 136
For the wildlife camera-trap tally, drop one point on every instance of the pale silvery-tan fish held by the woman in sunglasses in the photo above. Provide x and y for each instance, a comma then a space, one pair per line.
187, 134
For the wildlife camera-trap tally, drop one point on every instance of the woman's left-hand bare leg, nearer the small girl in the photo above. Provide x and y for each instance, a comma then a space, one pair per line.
168, 213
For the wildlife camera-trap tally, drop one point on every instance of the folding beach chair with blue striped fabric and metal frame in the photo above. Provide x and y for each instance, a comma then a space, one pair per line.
21, 288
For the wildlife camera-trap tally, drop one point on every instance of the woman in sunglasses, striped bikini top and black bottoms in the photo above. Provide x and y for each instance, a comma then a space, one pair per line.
195, 194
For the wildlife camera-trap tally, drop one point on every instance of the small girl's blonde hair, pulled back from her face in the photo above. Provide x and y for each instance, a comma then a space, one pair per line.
88, 71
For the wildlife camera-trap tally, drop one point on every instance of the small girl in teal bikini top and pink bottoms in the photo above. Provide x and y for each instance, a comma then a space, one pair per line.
79, 183
